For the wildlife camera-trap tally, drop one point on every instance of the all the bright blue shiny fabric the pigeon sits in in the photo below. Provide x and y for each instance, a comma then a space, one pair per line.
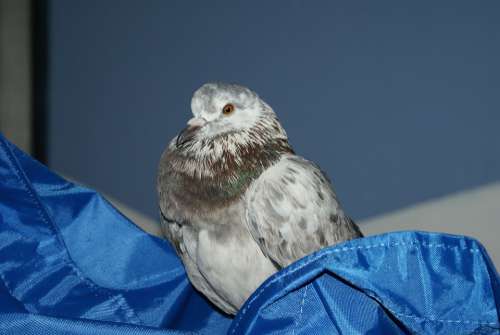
70, 263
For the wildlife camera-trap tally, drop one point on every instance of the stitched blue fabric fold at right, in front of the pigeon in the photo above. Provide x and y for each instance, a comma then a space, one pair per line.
415, 282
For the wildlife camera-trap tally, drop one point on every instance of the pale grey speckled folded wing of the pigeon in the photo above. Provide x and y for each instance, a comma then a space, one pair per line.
292, 210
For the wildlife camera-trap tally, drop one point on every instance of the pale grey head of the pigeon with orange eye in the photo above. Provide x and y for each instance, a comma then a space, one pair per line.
231, 113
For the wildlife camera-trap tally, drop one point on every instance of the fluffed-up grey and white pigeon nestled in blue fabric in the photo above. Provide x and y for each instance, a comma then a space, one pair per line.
236, 203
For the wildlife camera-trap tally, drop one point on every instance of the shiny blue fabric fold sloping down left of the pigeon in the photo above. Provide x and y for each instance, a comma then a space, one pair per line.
66, 252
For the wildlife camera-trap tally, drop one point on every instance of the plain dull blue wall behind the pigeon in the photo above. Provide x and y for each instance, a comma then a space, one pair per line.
397, 102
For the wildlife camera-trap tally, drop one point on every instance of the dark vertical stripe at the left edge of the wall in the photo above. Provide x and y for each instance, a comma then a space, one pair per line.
40, 39
